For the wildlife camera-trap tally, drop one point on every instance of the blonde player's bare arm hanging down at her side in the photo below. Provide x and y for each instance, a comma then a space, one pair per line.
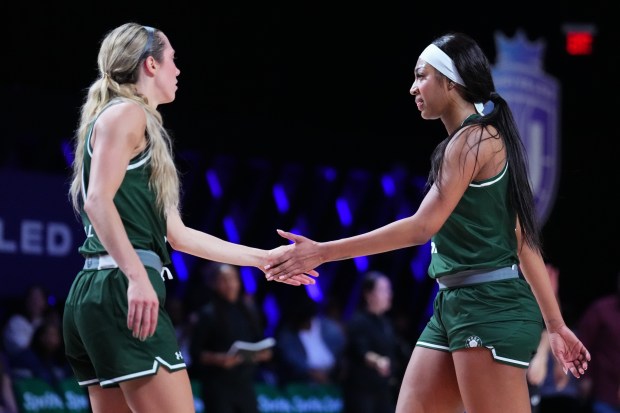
118, 136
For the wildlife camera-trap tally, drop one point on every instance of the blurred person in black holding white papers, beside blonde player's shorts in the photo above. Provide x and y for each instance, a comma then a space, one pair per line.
231, 314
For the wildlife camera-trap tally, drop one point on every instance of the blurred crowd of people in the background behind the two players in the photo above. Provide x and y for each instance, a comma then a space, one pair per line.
364, 353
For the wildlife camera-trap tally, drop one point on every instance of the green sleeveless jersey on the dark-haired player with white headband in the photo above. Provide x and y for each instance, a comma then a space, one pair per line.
480, 232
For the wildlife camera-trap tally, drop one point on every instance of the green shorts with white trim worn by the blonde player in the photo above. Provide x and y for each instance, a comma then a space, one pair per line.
99, 346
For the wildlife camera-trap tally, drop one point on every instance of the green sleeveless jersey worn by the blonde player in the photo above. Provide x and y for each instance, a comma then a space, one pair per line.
135, 202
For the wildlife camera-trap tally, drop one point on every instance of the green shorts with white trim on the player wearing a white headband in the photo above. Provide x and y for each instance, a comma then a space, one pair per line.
502, 316
